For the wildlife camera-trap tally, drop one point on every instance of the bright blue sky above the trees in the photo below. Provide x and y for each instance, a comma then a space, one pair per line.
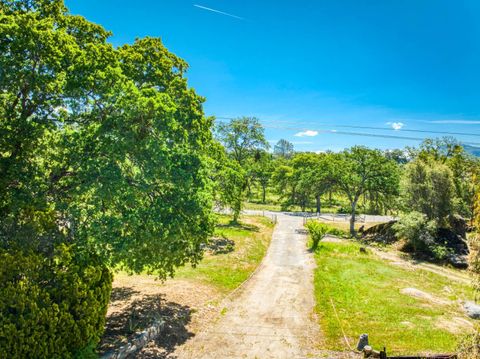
303, 67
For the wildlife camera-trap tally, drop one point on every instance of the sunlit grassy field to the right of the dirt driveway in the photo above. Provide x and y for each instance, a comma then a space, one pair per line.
366, 292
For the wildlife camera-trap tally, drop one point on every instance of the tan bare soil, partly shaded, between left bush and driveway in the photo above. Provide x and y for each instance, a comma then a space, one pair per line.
138, 300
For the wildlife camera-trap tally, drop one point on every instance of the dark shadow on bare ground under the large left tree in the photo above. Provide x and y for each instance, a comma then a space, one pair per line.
123, 325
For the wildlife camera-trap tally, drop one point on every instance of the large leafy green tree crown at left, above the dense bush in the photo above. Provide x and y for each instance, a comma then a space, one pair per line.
109, 144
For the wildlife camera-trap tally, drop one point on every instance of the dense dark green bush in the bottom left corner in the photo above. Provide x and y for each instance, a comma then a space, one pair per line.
52, 307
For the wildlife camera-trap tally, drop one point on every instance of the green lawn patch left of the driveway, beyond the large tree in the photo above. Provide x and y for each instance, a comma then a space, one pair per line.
227, 271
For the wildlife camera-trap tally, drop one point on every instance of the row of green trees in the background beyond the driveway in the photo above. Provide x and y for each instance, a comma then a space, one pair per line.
435, 179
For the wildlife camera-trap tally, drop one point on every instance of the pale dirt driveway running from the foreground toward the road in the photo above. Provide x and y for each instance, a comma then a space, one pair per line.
272, 315
